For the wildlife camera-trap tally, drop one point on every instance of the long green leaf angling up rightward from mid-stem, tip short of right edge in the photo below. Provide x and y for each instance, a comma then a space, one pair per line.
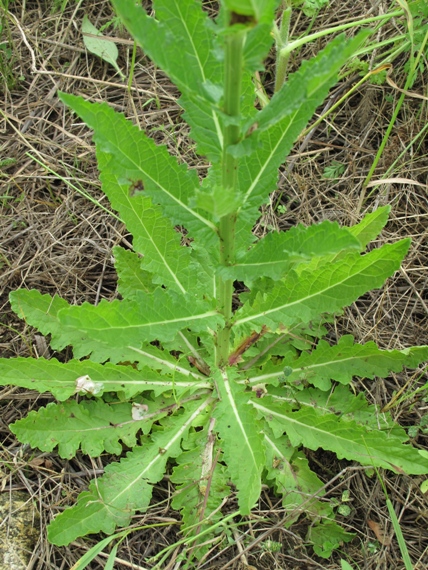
303, 297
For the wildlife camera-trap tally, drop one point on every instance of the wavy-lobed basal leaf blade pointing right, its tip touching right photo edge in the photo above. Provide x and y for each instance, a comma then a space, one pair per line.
347, 359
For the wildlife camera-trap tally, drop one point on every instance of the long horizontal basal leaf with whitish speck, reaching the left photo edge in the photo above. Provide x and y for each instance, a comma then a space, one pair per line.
61, 379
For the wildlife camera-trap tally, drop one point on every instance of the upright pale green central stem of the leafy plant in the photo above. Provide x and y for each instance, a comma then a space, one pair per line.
232, 101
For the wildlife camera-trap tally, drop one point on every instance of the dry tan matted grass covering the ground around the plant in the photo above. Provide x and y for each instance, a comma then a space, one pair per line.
58, 241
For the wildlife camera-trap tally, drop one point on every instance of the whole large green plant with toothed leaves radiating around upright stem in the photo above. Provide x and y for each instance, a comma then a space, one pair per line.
211, 364
